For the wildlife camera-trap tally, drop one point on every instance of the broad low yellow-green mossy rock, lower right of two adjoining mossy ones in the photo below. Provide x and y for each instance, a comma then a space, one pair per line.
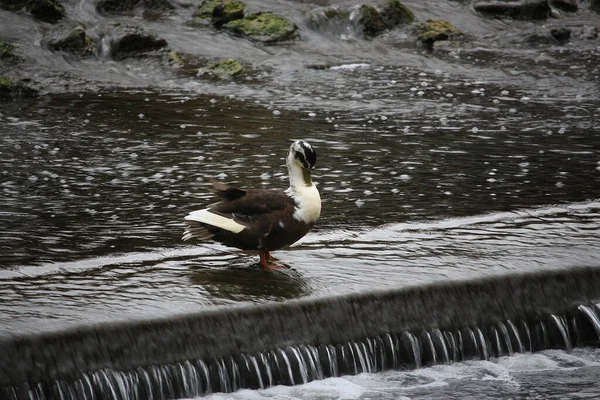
265, 27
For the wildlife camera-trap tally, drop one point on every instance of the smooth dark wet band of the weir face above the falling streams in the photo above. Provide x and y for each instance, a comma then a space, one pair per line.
65, 355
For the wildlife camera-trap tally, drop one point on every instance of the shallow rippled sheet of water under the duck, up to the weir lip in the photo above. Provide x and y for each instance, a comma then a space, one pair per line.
334, 261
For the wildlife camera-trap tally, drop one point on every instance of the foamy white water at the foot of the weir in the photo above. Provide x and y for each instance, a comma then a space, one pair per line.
550, 374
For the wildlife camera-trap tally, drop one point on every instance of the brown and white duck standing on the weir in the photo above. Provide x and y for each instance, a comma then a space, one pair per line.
262, 219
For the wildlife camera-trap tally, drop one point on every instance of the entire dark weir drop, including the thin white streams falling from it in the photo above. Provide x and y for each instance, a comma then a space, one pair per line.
299, 341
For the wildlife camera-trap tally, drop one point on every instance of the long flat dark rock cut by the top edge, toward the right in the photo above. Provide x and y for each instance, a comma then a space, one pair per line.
525, 9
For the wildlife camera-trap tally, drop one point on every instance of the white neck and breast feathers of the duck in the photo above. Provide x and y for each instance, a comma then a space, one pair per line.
305, 194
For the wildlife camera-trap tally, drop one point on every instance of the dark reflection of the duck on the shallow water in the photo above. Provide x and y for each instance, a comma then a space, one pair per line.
251, 283
